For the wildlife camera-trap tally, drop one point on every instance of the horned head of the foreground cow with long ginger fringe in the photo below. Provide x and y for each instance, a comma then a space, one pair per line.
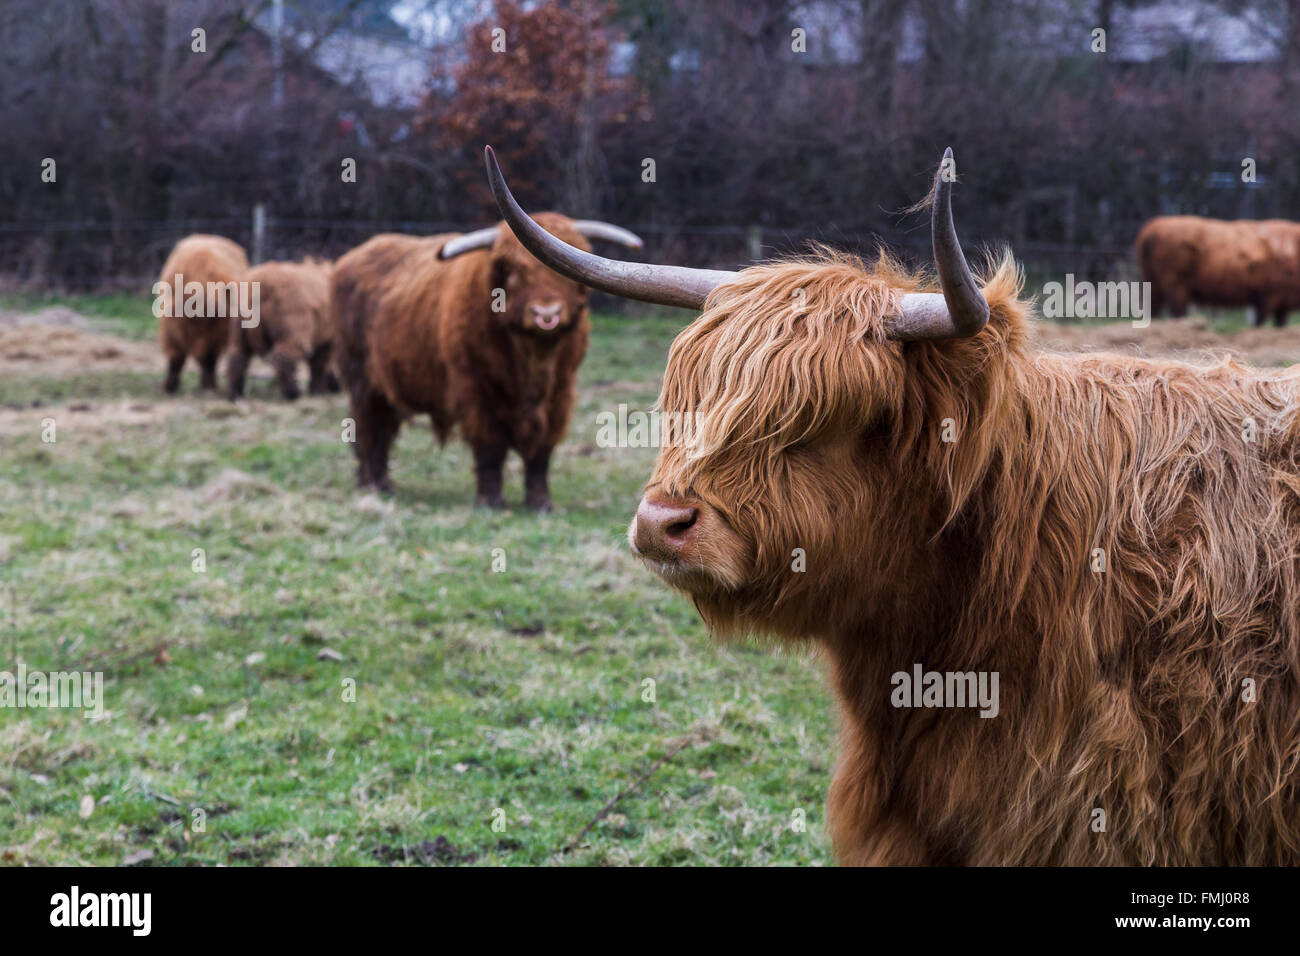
787, 486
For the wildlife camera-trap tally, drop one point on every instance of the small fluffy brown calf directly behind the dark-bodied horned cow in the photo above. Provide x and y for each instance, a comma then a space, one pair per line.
294, 326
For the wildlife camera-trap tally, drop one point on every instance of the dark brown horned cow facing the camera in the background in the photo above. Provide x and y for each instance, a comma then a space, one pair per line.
471, 331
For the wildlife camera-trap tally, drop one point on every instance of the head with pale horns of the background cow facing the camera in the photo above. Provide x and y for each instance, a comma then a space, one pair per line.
534, 300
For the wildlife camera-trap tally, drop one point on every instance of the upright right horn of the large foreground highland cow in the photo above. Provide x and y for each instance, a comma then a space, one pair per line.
961, 310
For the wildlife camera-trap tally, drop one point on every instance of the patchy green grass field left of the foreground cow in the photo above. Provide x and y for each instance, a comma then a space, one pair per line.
496, 713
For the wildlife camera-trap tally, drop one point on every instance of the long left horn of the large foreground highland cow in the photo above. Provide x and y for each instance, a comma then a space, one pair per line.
665, 285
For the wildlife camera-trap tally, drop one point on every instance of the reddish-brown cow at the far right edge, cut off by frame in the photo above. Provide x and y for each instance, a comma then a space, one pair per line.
1215, 263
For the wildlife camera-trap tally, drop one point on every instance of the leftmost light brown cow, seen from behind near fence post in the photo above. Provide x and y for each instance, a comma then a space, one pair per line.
219, 265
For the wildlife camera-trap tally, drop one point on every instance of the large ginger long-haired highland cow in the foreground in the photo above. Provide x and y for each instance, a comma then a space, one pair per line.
895, 475
